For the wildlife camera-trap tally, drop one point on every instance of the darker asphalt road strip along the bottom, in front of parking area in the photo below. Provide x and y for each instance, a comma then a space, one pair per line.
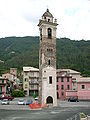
48, 114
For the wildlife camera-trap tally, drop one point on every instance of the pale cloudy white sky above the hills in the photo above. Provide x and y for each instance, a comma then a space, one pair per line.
21, 17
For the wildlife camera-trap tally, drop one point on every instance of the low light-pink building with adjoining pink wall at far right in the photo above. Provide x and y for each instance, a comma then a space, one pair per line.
83, 89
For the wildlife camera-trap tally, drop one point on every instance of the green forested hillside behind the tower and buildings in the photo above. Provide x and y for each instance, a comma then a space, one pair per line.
24, 51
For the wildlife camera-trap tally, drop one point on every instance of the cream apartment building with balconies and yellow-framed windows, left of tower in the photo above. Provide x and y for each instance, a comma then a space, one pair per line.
30, 80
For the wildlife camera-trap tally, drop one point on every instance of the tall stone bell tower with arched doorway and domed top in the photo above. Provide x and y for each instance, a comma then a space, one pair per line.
47, 59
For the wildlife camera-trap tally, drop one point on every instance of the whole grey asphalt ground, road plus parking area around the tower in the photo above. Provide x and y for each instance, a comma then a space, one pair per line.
64, 111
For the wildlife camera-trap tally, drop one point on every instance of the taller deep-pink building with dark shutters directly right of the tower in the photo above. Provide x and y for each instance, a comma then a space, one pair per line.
64, 82
